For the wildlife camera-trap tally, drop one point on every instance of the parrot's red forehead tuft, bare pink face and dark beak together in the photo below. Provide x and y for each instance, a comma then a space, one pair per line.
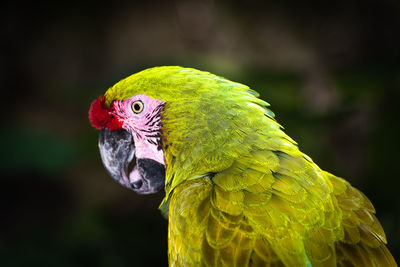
130, 141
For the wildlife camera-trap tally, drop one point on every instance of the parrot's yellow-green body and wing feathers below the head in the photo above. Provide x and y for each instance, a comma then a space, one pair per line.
274, 207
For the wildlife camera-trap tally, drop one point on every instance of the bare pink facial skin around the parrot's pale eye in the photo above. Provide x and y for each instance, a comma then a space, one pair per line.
145, 128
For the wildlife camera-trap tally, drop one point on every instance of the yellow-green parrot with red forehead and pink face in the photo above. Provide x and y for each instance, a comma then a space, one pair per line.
238, 190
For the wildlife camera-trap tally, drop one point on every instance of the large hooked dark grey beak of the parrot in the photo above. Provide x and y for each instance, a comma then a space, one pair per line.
117, 150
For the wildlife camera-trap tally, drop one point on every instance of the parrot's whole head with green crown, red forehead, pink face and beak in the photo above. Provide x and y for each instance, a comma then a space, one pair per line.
167, 124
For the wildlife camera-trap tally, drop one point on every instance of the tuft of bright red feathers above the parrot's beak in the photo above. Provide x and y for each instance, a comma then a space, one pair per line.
101, 117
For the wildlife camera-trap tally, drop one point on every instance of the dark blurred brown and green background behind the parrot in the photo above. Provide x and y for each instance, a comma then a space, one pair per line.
329, 69
